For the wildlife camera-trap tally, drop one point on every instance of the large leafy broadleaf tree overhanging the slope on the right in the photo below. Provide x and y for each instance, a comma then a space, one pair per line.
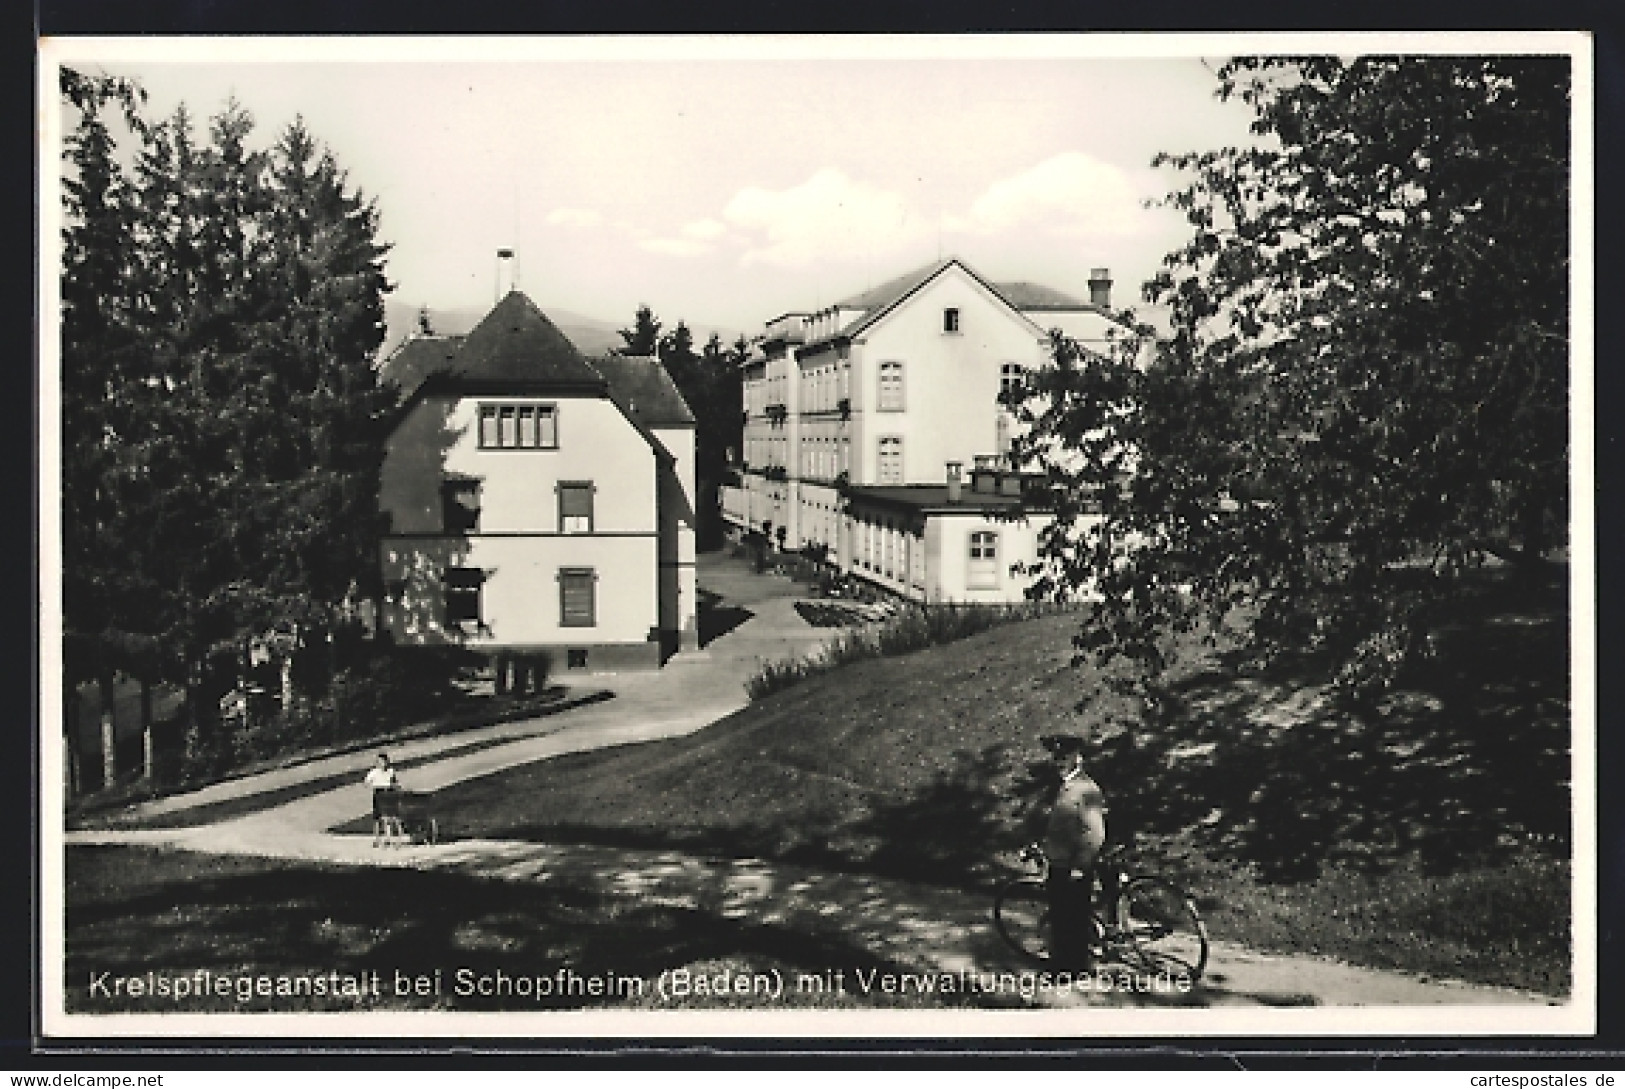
1366, 393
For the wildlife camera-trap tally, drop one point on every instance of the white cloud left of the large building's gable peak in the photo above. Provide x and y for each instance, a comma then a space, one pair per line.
830, 217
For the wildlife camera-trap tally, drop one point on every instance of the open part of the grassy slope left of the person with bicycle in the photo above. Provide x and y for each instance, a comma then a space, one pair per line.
818, 771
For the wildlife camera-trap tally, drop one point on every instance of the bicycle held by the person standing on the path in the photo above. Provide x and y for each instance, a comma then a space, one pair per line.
1153, 922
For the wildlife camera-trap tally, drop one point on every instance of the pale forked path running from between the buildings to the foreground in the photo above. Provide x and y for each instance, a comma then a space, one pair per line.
922, 927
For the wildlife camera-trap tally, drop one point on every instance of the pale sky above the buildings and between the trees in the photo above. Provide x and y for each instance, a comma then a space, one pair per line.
726, 181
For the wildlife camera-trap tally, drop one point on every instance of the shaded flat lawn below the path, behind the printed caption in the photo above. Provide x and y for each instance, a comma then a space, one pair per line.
176, 916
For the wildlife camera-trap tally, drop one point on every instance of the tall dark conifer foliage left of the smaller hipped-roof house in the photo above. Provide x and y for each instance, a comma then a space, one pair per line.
222, 428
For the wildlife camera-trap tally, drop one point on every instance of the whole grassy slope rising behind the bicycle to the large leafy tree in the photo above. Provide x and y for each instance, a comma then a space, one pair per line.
1426, 833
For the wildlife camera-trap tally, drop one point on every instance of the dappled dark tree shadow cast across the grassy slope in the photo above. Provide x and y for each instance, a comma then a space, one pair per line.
1468, 763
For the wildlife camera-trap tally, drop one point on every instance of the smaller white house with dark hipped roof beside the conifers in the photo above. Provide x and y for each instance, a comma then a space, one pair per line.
539, 501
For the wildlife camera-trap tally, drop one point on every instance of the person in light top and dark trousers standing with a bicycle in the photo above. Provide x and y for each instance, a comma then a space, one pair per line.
1073, 841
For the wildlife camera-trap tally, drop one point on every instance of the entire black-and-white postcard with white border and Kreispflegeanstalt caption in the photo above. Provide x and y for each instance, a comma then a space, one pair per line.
1034, 536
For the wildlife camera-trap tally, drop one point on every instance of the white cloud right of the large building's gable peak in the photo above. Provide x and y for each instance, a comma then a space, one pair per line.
1070, 194
